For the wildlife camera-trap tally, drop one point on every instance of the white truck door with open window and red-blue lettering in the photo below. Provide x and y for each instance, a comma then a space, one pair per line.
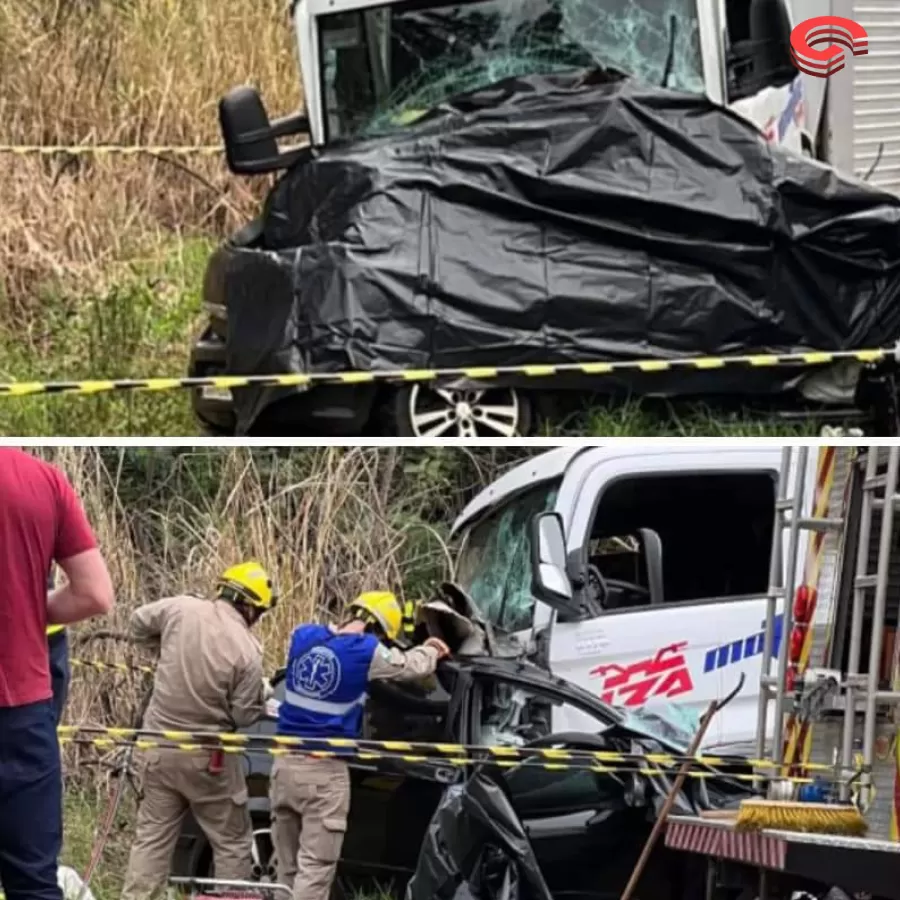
671, 555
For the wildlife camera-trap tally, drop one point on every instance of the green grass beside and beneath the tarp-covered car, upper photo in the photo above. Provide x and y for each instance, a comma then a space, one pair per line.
144, 327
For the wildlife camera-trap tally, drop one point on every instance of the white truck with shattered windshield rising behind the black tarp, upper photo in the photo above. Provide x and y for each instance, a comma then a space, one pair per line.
370, 66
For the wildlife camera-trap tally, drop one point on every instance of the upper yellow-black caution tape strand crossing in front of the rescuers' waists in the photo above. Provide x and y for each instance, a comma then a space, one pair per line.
446, 751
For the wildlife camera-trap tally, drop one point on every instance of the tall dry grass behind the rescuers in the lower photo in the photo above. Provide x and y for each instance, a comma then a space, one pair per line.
327, 523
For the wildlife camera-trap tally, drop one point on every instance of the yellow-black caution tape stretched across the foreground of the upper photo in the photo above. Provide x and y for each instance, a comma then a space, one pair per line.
472, 373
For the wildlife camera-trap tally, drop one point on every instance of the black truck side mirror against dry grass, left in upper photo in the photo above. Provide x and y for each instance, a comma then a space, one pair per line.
250, 141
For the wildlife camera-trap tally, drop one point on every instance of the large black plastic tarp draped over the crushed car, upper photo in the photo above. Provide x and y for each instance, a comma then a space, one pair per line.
562, 218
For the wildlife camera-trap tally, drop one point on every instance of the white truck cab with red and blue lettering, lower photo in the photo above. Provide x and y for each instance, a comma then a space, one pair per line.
657, 565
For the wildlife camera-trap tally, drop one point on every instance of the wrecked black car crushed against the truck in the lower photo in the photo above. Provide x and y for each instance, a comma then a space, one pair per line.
585, 828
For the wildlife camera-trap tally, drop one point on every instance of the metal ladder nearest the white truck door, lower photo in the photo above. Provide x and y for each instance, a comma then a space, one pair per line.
783, 583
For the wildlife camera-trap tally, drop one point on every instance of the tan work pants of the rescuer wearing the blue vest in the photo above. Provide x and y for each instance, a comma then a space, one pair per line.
310, 801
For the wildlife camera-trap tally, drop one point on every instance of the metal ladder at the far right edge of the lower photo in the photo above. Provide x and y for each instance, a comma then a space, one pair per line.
858, 686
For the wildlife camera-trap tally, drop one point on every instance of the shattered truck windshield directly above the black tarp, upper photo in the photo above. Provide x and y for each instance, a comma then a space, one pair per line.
385, 66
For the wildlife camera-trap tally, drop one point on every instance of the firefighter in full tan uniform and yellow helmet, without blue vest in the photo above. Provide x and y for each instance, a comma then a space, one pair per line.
209, 678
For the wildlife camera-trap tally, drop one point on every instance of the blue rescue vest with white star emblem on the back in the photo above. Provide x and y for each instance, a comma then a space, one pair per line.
325, 684
